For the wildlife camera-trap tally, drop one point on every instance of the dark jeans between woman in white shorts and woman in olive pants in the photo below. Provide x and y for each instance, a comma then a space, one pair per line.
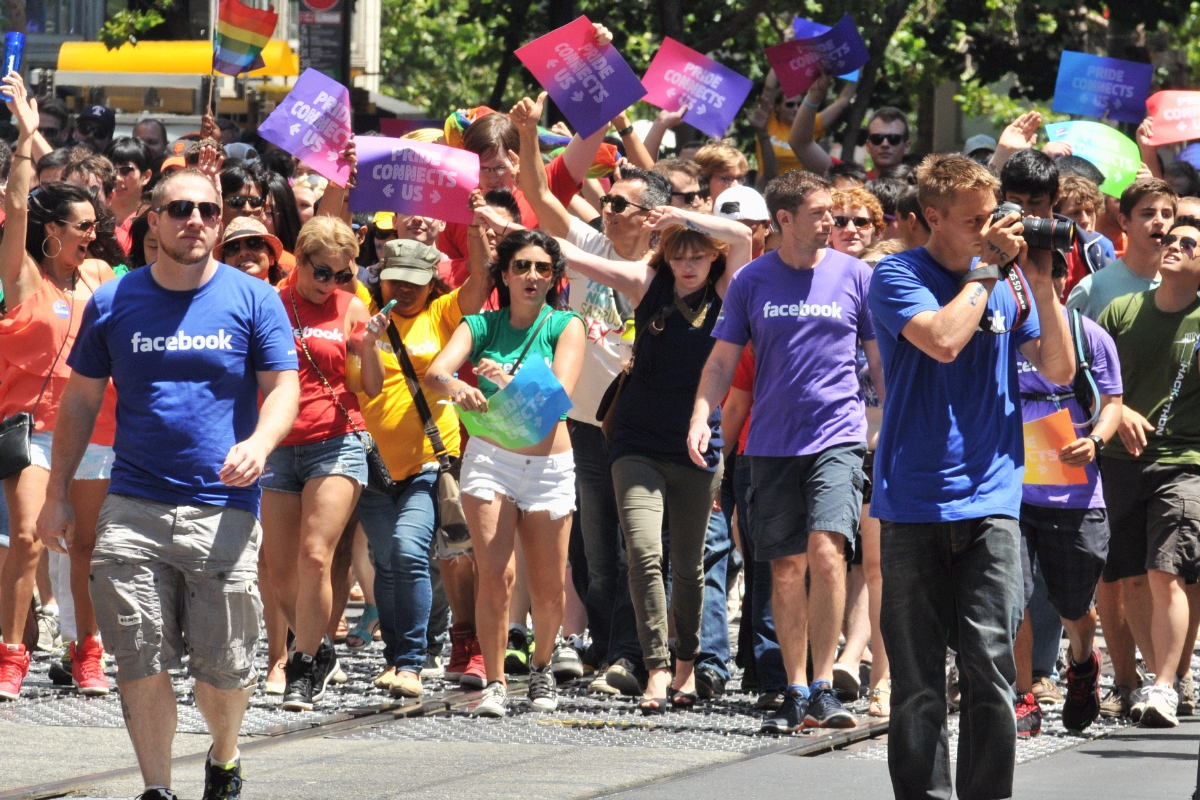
610, 609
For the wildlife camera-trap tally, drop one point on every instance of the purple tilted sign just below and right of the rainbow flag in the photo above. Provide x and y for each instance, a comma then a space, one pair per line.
314, 124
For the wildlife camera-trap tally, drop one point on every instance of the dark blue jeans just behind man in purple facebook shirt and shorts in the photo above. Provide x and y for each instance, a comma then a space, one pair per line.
769, 659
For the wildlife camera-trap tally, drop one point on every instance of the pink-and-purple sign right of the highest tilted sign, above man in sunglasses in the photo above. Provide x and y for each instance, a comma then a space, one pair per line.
713, 93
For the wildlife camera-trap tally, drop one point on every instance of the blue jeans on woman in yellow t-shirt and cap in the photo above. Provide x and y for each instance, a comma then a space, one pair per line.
401, 532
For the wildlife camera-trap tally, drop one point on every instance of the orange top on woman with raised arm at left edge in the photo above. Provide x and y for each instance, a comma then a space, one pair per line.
32, 335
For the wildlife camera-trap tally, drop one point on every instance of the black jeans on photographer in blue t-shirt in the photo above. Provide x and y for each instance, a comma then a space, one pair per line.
957, 585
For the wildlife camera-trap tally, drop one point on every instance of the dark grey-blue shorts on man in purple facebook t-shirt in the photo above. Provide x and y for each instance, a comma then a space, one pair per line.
791, 497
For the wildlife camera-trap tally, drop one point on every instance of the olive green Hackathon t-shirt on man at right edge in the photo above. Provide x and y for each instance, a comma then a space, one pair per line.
1159, 369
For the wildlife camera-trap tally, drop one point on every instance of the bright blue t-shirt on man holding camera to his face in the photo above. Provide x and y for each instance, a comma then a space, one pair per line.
951, 447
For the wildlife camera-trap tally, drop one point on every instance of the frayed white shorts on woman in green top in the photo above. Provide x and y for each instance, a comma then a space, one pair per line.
531, 483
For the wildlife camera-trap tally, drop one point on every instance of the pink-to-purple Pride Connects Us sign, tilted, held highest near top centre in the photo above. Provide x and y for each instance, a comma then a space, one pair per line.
589, 83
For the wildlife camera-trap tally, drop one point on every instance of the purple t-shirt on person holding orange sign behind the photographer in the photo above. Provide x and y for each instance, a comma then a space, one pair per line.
1107, 372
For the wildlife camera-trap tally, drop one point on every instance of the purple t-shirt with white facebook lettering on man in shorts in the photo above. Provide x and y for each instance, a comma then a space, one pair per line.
806, 326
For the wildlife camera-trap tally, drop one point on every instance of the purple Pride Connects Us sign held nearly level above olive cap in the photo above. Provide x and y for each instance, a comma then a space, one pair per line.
406, 177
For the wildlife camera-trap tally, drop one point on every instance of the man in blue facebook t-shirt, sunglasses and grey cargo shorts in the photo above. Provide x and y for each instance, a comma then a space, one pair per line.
189, 345
